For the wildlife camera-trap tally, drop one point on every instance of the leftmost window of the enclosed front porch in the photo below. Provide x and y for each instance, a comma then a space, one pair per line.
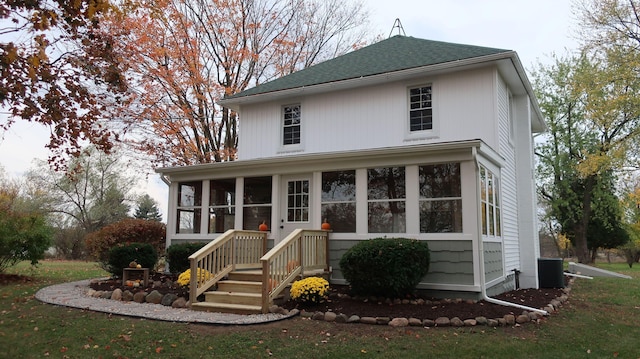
189, 207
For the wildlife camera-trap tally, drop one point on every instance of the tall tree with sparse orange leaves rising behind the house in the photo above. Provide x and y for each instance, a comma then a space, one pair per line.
184, 55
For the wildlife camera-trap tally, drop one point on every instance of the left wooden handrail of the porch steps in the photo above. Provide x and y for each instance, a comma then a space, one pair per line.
233, 249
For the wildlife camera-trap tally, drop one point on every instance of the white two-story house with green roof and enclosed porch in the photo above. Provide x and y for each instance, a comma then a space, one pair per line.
403, 138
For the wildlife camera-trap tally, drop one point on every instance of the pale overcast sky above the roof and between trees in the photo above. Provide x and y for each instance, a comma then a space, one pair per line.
534, 29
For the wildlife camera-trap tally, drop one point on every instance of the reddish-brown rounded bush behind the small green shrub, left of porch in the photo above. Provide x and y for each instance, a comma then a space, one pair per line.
127, 231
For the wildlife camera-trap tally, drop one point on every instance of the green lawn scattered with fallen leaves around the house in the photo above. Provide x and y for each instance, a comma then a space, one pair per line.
599, 321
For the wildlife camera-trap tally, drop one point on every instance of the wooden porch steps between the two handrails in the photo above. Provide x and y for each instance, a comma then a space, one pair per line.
241, 293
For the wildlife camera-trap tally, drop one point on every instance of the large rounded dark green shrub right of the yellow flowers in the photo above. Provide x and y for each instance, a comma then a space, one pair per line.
385, 266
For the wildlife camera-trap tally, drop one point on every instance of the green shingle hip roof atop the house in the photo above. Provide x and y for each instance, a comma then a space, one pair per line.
393, 54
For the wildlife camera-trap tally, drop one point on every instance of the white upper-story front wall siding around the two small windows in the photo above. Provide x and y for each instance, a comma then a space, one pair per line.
375, 117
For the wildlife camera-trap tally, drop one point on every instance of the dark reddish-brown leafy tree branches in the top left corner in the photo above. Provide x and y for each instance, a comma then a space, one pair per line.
58, 68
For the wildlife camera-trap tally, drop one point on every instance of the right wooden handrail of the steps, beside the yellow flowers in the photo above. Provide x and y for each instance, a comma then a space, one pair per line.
302, 250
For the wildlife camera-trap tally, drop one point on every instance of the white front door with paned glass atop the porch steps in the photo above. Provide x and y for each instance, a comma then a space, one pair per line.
296, 203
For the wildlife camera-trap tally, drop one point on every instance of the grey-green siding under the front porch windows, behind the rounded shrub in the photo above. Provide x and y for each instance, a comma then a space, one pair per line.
451, 261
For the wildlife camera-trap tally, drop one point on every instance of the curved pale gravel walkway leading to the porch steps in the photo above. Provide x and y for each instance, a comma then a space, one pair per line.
74, 295
